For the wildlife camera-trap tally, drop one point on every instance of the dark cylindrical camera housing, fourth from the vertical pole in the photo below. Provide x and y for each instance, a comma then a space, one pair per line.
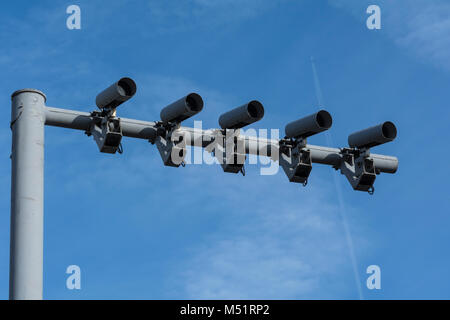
310, 125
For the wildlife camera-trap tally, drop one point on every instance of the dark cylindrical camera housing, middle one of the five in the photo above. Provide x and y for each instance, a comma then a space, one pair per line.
242, 116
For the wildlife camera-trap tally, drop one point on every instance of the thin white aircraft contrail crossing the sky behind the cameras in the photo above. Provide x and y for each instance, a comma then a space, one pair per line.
337, 184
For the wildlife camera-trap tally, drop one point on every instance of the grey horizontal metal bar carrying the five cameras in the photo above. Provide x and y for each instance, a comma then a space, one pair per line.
198, 137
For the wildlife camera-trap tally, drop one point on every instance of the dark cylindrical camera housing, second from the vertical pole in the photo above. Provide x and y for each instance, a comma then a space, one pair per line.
182, 109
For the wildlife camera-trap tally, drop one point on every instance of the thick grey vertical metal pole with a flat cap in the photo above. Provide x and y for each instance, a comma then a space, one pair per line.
27, 195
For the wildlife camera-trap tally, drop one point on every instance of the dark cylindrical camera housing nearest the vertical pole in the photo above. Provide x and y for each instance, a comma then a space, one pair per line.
116, 94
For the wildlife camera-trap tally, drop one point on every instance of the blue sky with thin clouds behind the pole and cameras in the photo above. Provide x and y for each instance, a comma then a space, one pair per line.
138, 229
